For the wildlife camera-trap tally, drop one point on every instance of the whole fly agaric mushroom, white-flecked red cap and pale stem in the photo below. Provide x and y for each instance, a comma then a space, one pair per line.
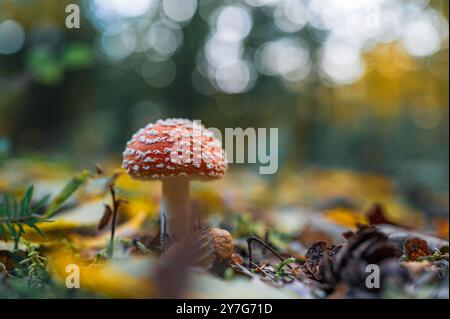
175, 151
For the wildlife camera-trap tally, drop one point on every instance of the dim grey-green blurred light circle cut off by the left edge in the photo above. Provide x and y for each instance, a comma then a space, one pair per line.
12, 37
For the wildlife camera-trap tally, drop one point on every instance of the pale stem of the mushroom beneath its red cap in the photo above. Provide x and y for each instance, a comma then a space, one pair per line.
175, 212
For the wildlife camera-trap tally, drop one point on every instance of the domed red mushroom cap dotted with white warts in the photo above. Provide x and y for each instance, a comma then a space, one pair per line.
174, 148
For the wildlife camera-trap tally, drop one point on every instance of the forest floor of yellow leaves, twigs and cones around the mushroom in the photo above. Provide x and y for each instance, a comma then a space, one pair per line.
315, 233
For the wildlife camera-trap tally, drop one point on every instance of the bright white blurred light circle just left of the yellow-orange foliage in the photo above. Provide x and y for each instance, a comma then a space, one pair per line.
341, 63
